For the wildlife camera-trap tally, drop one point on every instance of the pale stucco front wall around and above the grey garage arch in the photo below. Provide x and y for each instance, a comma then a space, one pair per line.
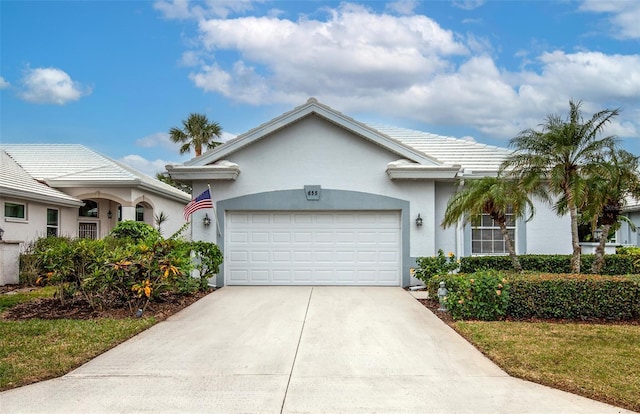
314, 152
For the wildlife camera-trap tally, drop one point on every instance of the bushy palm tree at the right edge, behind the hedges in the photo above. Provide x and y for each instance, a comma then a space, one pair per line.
610, 184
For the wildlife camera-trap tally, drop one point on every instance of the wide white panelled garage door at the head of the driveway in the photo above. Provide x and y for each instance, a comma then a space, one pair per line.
313, 248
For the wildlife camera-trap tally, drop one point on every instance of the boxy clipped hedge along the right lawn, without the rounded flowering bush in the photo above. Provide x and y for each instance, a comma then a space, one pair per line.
574, 296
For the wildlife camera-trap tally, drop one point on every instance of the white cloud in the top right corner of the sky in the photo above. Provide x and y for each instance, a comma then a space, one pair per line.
624, 15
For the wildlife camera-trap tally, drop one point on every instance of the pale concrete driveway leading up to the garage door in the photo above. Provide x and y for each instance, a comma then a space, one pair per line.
296, 350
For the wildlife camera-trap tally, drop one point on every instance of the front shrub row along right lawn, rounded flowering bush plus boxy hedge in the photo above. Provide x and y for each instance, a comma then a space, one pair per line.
492, 295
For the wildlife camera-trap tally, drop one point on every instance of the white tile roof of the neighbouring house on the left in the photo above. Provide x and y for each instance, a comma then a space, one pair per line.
61, 165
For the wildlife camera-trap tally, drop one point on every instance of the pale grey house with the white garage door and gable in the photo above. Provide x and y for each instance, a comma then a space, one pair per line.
314, 197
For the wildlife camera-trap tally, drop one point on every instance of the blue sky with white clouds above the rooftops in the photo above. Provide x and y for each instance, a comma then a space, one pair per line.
117, 75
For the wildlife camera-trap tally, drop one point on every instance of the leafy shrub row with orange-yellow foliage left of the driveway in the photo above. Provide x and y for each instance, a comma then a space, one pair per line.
133, 266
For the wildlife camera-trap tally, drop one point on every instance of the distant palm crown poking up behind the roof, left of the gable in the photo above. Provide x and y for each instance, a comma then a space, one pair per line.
197, 132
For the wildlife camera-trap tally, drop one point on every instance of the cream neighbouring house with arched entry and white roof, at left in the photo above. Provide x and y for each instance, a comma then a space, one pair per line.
70, 190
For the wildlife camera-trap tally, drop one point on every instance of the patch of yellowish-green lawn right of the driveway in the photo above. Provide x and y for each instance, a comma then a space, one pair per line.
601, 362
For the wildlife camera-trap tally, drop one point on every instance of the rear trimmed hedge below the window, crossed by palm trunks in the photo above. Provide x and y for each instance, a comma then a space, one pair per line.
614, 264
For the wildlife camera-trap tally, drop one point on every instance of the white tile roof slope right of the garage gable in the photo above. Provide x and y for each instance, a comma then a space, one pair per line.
472, 156
